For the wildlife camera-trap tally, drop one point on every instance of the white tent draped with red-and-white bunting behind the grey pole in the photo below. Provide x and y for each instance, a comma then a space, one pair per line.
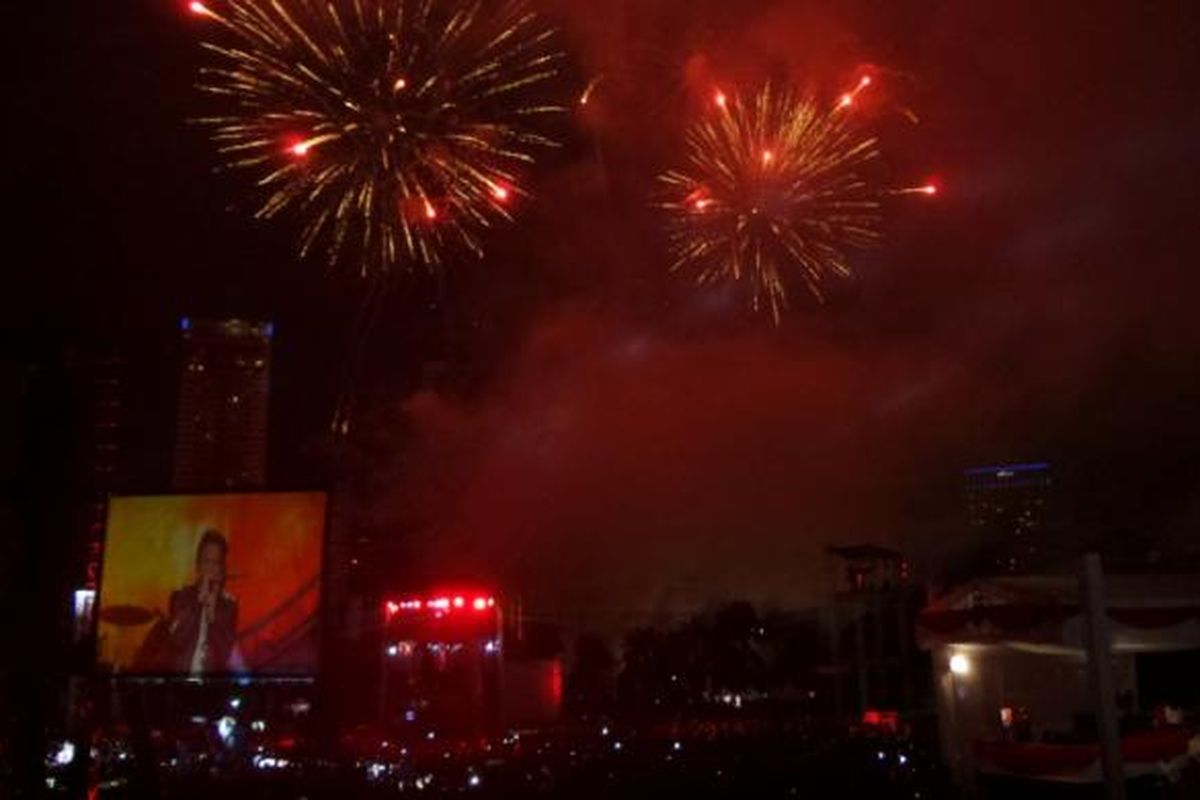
1010, 651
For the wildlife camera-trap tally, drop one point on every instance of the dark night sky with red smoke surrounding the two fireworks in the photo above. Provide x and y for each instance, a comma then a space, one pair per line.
617, 436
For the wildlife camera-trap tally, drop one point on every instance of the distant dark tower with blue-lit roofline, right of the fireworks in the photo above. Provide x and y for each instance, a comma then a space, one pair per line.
1007, 510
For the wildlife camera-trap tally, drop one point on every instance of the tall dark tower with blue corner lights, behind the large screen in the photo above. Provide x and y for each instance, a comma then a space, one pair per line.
224, 394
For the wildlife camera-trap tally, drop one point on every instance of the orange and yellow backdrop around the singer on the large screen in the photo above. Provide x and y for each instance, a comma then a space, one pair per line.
274, 567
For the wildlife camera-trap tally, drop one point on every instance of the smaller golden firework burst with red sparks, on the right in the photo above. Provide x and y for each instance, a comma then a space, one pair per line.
775, 185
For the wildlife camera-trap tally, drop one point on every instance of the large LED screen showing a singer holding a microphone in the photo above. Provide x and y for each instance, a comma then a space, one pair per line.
212, 585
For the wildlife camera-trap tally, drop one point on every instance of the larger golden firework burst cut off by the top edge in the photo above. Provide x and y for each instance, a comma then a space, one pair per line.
394, 130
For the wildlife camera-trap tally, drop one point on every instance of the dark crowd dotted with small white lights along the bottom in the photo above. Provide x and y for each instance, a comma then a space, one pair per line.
235, 754
